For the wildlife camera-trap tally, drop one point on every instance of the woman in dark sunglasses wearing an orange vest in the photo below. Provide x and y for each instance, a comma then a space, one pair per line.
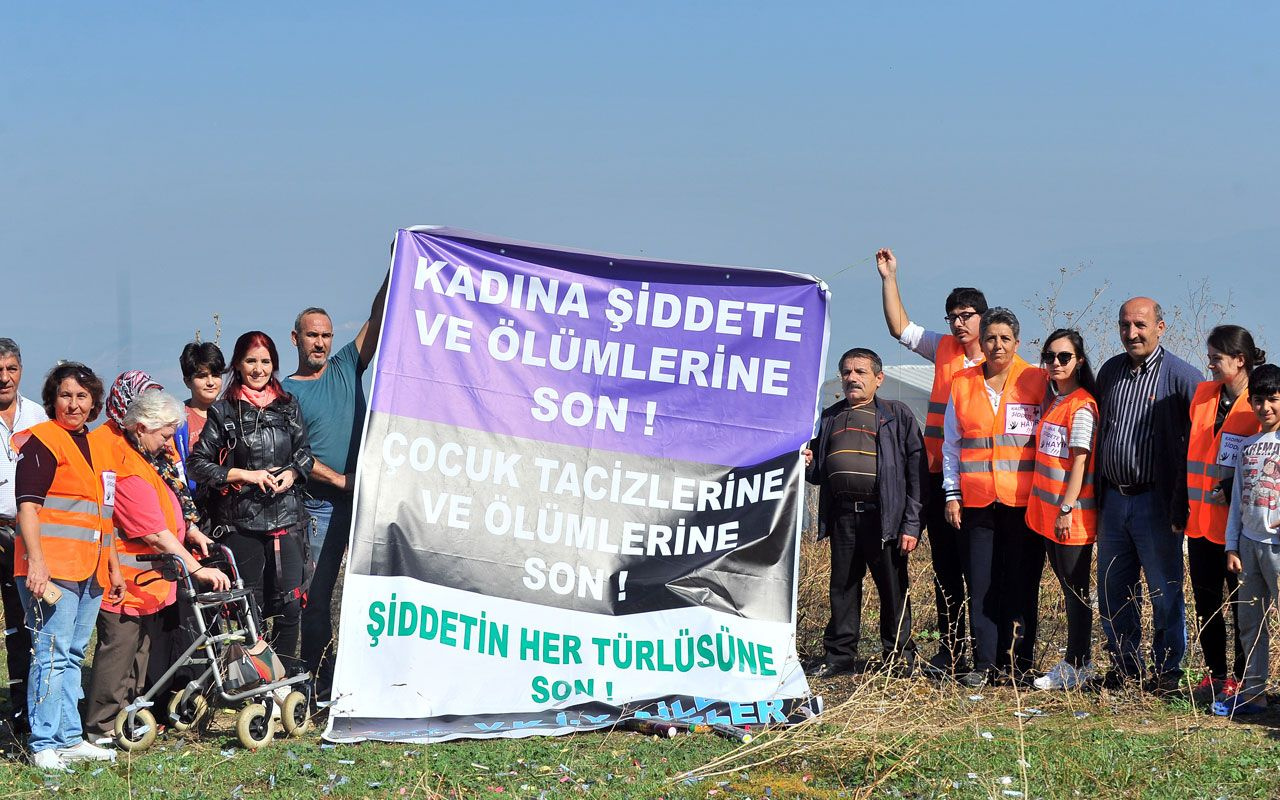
1063, 506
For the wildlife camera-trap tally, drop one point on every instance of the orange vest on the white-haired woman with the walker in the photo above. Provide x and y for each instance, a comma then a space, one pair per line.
153, 593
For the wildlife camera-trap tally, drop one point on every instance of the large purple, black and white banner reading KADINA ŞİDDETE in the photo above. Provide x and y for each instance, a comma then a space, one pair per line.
579, 495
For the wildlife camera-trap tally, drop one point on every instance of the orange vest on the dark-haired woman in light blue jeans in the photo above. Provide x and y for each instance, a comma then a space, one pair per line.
76, 519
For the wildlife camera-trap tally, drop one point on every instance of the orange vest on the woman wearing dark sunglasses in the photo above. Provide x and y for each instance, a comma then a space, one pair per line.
1054, 467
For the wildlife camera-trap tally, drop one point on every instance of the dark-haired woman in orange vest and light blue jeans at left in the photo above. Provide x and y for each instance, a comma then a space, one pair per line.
66, 491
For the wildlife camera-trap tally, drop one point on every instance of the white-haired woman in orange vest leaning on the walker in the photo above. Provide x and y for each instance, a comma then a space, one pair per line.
149, 519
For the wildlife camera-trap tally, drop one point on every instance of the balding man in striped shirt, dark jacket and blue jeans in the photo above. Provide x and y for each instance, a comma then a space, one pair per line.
1145, 397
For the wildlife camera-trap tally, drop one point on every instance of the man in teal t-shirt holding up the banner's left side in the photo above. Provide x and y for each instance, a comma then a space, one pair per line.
332, 397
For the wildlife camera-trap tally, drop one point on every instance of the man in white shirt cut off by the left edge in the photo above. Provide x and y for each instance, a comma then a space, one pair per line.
17, 414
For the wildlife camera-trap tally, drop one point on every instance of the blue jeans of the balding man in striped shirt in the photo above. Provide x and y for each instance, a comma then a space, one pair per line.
1135, 534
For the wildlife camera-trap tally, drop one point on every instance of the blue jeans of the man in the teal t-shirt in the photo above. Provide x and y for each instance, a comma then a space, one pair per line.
332, 514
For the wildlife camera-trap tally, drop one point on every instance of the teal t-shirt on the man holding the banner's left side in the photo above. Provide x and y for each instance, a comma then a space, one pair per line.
333, 408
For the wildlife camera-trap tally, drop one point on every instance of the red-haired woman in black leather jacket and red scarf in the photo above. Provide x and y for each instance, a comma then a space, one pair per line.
250, 463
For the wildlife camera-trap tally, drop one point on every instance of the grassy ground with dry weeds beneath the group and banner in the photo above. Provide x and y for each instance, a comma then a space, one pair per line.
880, 737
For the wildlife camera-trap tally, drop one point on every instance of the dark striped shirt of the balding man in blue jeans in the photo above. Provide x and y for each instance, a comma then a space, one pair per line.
1128, 445
